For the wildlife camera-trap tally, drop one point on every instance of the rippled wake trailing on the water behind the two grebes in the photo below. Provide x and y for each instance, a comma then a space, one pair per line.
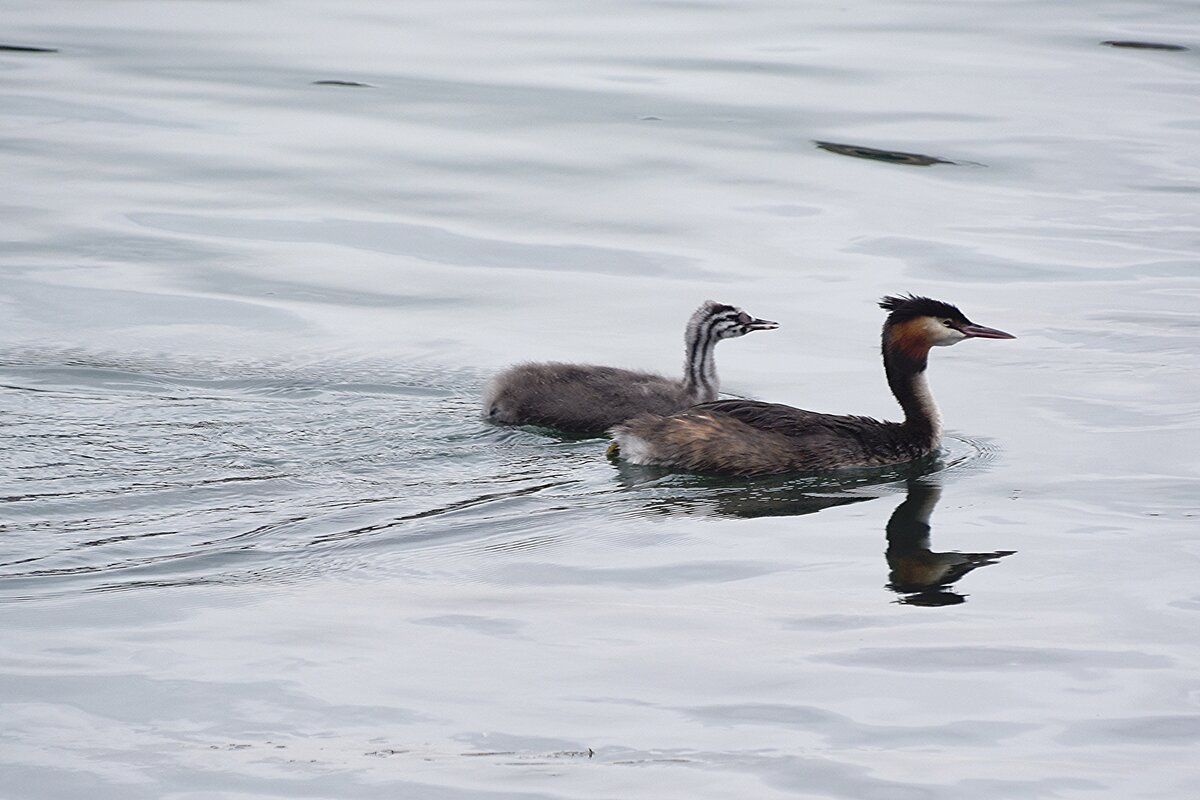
157, 473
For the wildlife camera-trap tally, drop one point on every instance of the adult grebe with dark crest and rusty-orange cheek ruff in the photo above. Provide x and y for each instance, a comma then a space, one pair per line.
741, 437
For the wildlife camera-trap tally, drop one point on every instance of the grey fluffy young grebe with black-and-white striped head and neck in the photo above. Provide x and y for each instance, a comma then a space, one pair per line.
590, 400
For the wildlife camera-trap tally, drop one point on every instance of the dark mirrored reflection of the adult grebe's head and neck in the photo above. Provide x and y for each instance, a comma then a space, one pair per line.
919, 575
